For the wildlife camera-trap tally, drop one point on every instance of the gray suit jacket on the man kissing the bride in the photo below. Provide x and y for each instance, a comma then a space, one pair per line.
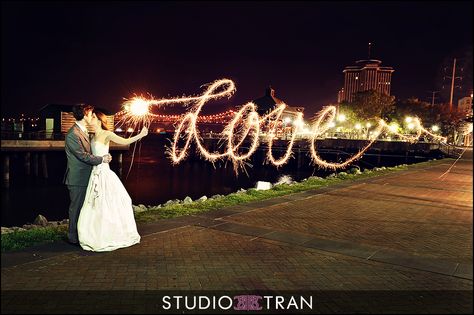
79, 157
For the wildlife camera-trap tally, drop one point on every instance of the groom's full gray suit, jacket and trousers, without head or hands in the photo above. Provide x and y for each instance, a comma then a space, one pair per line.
79, 167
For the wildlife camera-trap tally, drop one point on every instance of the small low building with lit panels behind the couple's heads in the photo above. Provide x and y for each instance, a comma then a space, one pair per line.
58, 119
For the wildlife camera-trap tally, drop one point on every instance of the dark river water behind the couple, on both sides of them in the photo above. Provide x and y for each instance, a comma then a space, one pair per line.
152, 180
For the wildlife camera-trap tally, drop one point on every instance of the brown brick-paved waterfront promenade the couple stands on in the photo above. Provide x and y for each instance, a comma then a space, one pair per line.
405, 237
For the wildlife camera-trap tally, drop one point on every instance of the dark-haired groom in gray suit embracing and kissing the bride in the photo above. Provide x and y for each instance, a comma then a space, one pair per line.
79, 164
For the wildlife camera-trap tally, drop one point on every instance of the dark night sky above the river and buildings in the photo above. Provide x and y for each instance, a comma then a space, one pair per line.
99, 53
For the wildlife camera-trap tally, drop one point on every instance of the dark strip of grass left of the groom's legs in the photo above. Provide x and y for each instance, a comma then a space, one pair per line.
22, 239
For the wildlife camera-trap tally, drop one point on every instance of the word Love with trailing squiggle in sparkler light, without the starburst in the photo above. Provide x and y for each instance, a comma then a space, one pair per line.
247, 123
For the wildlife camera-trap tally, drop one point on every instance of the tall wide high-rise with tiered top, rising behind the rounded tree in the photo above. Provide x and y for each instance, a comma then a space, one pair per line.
365, 75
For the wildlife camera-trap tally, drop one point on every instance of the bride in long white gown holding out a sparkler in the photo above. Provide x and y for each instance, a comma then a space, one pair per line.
106, 221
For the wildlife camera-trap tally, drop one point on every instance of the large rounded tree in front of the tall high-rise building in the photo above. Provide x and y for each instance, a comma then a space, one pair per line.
372, 104
